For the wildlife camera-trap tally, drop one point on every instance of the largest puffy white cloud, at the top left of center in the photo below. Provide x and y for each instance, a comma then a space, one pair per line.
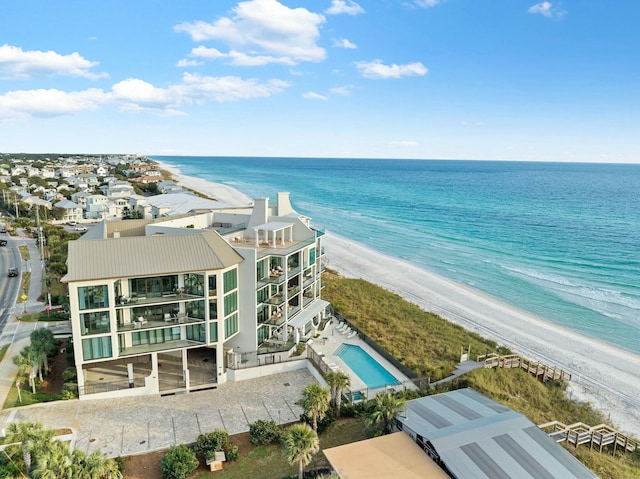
265, 30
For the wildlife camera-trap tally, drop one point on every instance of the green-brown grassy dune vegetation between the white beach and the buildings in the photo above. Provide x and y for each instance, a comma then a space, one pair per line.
427, 343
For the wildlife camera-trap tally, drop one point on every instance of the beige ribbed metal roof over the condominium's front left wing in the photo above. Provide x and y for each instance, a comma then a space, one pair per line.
148, 256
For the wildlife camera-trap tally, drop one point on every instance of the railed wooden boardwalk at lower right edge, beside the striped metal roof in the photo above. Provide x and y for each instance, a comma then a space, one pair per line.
598, 436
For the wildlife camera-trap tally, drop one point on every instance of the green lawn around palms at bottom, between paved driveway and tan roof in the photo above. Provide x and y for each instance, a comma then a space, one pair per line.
268, 462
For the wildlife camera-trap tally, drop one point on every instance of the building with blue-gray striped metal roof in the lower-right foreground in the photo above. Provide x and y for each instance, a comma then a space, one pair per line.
473, 437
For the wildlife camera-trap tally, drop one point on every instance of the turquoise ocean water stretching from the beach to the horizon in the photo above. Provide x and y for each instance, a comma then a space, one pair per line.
559, 240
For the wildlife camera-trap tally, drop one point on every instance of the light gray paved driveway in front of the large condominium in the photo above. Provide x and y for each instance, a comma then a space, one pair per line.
121, 427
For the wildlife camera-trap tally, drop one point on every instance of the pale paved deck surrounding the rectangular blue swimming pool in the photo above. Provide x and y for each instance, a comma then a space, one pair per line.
331, 339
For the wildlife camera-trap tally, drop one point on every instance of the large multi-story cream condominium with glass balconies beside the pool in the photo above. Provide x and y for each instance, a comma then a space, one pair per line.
181, 302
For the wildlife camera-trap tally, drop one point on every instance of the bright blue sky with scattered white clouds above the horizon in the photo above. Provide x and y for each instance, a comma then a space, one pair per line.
450, 79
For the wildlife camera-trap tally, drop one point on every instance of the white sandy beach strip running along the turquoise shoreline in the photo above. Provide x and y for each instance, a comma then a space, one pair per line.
605, 376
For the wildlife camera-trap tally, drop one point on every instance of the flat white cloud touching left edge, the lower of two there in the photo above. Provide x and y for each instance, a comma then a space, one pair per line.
21, 104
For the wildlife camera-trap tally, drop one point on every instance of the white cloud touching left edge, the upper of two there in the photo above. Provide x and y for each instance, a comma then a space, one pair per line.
16, 63
